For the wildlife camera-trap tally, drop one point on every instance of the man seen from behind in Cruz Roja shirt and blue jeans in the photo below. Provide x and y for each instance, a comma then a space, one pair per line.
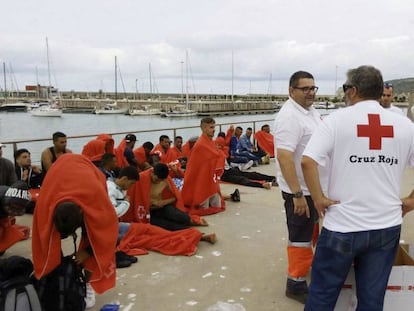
367, 148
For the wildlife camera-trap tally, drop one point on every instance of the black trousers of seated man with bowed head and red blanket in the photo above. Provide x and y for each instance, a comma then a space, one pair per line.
169, 217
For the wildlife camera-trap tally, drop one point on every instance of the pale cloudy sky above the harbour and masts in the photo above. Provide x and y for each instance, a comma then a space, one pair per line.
202, 46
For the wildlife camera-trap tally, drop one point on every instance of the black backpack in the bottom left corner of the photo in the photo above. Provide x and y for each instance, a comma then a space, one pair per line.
16, 290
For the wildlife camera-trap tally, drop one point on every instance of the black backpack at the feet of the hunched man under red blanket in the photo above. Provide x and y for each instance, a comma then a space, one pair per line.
64, 288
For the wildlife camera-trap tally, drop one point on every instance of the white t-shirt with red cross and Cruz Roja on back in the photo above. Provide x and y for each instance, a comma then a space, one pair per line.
367, 148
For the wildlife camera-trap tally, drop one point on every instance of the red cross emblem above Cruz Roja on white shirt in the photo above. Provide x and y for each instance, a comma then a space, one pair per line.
375, 131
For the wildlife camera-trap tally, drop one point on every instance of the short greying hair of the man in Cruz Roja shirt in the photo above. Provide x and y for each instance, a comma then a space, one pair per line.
367, 80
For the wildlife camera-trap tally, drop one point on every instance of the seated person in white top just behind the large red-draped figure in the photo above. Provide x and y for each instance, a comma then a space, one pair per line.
117, 188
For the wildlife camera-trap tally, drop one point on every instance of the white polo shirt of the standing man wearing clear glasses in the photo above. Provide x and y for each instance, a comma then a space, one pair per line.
293, 128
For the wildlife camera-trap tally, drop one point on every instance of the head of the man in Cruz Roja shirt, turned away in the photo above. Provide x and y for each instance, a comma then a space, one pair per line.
363, 83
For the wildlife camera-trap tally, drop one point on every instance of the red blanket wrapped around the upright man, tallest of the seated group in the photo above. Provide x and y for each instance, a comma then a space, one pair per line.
201, 179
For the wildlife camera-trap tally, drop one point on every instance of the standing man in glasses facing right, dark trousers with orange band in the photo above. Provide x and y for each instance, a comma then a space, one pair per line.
293, 128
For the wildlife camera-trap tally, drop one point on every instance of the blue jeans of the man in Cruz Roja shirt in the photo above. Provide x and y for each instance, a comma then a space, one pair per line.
372, 253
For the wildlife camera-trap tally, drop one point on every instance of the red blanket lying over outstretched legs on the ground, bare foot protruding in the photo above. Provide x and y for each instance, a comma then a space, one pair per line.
141, 238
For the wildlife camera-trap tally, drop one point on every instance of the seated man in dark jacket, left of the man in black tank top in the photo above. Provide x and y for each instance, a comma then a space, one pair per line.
30, 174
